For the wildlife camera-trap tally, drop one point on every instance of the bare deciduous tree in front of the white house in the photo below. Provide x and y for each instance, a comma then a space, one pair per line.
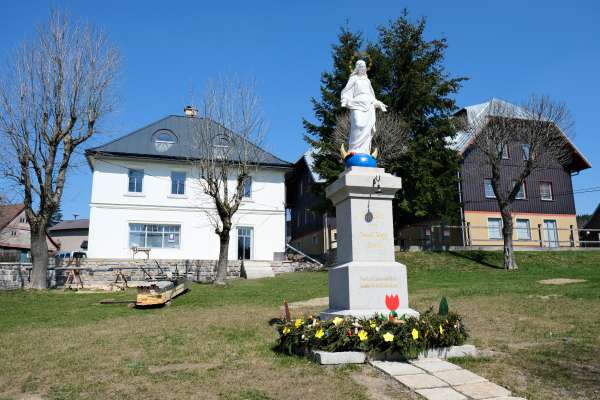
227, 139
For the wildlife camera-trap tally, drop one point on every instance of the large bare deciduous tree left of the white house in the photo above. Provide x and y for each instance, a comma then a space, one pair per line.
53, 93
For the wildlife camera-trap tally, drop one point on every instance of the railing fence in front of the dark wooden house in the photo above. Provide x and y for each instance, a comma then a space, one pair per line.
446, 237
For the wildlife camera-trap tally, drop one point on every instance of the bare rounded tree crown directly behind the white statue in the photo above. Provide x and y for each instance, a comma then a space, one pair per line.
390, 137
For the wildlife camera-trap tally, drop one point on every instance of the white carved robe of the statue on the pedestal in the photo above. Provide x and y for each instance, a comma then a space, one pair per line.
358, 96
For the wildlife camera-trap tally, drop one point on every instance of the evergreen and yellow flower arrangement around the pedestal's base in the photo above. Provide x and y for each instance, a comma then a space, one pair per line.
405, 336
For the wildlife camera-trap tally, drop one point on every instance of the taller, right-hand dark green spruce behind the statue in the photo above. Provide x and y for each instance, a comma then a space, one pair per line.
419, 89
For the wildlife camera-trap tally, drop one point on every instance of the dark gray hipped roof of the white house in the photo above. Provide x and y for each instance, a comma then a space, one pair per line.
141, 143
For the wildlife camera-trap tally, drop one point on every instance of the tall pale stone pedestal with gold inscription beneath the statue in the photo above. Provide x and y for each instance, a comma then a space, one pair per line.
366, 270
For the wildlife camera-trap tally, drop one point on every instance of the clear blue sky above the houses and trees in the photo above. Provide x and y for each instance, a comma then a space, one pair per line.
508, 49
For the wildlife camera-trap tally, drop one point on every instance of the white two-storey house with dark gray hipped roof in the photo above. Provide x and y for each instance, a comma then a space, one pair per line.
145, 193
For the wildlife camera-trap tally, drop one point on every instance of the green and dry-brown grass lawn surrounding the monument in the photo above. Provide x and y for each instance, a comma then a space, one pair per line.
541, 341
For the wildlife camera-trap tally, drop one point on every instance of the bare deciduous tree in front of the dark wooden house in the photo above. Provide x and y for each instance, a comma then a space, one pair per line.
541, 126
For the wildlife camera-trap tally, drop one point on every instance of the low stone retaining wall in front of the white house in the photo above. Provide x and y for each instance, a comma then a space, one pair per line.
101, 273
